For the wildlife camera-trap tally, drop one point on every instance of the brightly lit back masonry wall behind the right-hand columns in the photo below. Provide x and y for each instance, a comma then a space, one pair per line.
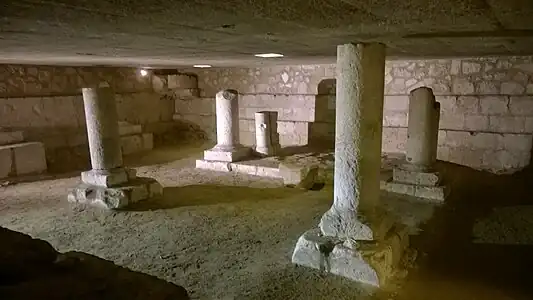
486, 117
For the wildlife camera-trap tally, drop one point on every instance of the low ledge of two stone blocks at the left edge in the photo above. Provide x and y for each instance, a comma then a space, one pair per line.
22, 159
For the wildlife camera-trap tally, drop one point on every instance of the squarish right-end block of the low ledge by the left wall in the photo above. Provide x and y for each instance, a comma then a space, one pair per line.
29, 158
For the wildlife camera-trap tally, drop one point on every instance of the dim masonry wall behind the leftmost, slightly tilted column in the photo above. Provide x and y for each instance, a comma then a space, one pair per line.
46, 104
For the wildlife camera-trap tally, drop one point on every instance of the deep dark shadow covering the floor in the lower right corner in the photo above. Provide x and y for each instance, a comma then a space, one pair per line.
450, 265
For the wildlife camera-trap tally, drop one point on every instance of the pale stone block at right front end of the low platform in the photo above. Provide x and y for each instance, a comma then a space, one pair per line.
299, 176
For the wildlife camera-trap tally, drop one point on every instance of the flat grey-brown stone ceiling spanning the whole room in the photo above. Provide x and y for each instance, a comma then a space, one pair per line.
228, 32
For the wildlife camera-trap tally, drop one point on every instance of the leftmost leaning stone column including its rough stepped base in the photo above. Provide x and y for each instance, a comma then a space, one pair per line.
108, 184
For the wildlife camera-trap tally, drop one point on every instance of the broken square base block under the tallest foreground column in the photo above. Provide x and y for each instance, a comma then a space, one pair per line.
367, 262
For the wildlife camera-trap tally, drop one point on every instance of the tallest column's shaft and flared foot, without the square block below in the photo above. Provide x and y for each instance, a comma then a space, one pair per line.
358, 130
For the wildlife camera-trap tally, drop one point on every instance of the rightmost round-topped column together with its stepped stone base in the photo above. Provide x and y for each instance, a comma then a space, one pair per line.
418, 176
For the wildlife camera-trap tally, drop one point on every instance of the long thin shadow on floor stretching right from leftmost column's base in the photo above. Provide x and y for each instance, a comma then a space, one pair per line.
198, 195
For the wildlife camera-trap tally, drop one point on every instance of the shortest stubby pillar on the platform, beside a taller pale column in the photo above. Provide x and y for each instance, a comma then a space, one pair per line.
266, 133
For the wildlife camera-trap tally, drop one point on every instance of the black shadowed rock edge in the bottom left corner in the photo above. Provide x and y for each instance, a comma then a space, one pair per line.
32, 269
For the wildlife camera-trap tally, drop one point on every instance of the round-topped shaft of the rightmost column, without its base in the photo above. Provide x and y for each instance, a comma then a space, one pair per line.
422, 132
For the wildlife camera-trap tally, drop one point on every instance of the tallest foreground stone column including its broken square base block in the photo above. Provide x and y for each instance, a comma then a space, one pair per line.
355, 215
